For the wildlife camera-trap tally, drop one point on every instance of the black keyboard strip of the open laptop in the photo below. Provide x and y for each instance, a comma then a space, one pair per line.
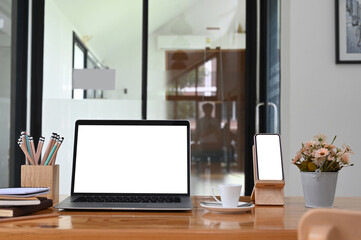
129, 199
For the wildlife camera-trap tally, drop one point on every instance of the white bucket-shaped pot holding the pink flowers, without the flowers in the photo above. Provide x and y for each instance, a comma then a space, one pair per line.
319, 188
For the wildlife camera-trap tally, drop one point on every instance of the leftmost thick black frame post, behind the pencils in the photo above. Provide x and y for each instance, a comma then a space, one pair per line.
19, 65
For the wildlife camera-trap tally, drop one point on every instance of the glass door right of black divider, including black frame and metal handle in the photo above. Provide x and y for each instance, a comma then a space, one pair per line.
197, 70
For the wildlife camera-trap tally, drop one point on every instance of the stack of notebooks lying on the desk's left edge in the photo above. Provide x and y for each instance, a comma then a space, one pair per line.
22, 201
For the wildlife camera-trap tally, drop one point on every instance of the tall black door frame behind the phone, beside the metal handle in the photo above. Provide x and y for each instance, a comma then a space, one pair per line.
266, 21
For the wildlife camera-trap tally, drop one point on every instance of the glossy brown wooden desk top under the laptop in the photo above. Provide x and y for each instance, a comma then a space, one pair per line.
260, 223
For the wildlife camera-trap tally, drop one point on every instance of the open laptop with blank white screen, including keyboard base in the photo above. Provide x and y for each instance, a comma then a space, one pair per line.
130, 165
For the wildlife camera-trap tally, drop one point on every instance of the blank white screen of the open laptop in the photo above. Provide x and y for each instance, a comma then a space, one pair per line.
131, 159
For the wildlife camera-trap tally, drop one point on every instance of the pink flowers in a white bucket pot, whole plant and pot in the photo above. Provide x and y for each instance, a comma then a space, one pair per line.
319, 163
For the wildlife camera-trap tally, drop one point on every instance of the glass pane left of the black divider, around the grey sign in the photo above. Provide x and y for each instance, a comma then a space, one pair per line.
82, 34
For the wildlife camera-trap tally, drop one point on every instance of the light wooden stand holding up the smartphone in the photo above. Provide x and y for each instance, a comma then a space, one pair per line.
267, 192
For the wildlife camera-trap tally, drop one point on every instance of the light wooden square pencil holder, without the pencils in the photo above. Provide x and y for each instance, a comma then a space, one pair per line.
42, 176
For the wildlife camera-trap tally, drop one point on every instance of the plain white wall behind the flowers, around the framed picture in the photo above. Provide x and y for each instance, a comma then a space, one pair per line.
317, 95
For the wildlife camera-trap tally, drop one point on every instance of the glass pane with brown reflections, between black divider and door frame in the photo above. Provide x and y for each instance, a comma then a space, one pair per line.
196, 71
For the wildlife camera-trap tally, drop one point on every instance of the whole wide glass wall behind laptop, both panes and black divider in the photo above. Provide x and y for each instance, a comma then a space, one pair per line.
195, 68
